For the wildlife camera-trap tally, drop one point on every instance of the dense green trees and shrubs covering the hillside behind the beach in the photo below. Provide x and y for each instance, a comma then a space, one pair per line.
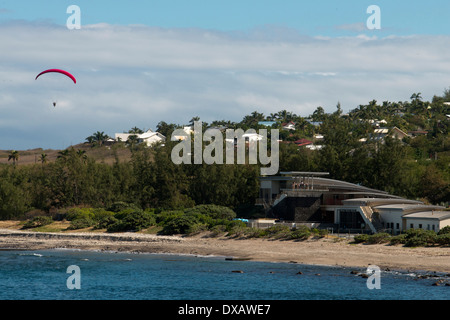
156, 191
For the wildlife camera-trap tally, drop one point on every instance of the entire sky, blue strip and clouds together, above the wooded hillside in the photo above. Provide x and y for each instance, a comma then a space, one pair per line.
142, 62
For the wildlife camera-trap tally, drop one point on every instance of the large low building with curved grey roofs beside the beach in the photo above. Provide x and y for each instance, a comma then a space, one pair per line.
310, 198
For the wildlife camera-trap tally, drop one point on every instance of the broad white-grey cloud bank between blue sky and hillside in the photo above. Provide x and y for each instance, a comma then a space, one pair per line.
137, 76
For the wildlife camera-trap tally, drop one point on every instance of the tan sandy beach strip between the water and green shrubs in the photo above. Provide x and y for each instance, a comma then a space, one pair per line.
325, 251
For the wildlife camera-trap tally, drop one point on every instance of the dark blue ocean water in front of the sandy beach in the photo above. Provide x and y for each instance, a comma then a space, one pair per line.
42, 275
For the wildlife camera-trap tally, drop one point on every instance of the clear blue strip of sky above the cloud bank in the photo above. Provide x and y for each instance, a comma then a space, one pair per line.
320, 17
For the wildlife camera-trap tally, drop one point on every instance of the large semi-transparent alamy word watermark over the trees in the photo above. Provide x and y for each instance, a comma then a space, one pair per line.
234, 139
